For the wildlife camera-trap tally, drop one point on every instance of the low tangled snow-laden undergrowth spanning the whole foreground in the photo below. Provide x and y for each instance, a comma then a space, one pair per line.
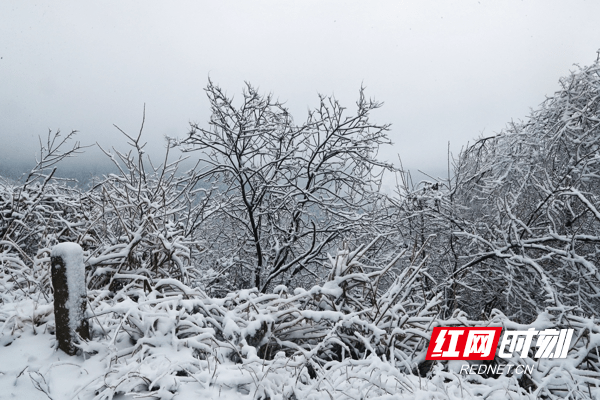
324, 343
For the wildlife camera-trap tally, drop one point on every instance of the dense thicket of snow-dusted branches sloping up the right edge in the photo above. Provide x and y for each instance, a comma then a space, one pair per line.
516, 229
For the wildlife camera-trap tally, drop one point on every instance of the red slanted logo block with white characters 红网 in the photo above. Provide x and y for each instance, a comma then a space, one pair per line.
464, 343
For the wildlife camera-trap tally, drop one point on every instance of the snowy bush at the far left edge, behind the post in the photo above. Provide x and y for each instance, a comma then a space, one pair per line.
37, 213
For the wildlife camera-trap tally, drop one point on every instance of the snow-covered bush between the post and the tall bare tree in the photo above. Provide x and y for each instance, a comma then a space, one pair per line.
144, 221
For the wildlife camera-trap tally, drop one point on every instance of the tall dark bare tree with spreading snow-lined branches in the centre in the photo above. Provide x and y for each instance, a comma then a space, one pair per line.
287, 192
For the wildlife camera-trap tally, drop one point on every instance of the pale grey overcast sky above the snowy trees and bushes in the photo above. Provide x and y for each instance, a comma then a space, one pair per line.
447, 71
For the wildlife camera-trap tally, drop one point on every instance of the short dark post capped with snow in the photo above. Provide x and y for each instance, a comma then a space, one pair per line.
70, 295
